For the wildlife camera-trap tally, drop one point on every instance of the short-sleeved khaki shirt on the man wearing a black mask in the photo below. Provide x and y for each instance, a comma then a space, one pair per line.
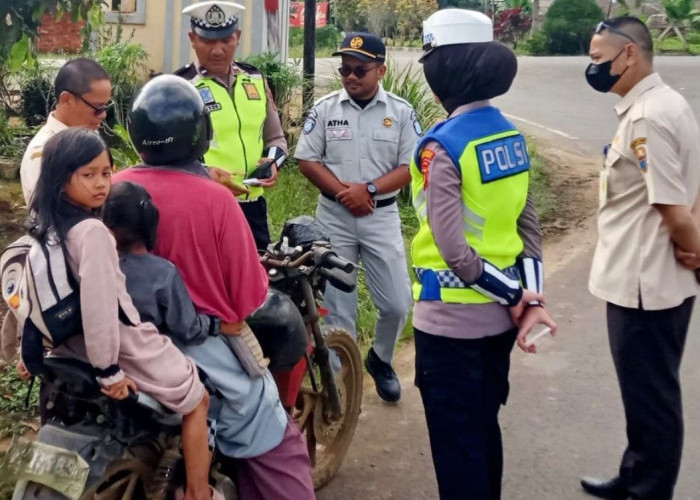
654, 159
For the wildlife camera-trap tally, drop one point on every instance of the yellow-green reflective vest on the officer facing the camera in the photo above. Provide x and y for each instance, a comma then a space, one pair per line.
238, 119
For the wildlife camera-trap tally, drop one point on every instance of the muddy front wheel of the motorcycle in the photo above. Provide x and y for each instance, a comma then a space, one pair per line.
329, 441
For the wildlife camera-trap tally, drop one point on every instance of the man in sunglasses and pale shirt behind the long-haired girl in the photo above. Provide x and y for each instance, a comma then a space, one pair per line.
83, 96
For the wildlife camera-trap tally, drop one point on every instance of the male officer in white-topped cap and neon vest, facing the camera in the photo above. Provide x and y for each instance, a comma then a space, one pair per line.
247, 129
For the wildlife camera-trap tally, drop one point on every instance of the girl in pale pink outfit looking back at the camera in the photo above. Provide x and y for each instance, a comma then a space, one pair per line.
73, 185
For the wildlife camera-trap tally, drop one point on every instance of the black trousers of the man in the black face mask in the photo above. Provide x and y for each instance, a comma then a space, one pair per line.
647, 347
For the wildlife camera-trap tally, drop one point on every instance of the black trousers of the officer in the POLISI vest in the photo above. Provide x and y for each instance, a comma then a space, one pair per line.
463, 384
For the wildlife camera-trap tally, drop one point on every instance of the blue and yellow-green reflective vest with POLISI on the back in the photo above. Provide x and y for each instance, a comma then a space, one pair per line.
494, 165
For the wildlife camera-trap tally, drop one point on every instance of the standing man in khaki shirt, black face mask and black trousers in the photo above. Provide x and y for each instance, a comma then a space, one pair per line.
649, 183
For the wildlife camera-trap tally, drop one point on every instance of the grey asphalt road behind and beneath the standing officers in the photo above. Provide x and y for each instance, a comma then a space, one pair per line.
564, 417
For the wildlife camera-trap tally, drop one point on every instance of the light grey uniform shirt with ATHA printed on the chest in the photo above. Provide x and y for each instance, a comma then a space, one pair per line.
360, 145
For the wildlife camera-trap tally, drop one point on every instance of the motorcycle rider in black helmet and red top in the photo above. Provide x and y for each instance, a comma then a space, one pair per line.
203, 231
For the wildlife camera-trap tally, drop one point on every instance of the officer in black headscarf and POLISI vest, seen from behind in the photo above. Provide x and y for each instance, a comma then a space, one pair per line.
477, 253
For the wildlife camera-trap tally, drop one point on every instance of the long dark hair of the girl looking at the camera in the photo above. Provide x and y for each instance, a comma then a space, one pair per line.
63, 154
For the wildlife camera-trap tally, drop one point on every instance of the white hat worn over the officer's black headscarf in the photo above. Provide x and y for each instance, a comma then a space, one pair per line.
455, 26
